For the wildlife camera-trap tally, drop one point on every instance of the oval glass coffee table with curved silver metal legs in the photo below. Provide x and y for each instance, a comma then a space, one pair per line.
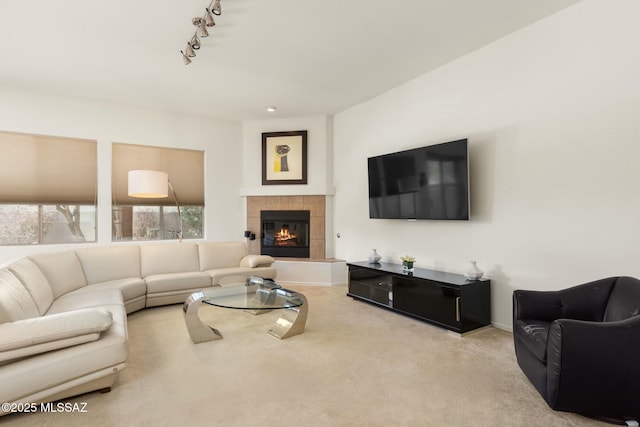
254, 295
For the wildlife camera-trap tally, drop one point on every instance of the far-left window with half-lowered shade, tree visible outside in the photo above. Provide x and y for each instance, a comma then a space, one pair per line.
48, 189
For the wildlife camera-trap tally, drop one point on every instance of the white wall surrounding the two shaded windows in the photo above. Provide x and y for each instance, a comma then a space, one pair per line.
36, 113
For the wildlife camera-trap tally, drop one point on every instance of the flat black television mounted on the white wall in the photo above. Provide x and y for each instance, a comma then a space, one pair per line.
424, 183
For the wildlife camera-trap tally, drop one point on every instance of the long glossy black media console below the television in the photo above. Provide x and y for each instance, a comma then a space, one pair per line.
450, 301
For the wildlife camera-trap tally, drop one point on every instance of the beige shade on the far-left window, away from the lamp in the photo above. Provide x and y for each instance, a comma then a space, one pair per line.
39, 169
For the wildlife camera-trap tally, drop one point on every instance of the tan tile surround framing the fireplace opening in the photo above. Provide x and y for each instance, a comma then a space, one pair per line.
314, 204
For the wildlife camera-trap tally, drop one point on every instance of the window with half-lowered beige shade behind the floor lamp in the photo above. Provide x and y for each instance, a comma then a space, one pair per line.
158, 219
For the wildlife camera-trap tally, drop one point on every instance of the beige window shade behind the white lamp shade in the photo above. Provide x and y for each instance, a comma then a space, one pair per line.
184, 167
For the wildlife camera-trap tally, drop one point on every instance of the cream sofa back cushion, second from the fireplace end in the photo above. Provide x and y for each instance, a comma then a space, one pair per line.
166, 258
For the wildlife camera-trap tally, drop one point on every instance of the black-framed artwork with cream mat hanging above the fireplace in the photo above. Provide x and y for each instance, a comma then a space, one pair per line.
284, 158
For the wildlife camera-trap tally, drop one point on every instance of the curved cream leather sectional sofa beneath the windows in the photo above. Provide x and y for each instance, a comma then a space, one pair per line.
63, 315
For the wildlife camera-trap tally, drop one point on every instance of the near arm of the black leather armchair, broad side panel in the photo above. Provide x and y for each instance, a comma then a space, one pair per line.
592, 364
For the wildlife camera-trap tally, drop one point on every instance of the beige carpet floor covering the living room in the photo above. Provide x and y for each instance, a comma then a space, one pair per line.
355, 365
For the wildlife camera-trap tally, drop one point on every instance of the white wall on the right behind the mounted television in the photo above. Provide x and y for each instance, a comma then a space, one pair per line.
552, 113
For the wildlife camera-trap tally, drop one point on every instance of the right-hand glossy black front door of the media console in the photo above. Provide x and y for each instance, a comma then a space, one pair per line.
428, 300
